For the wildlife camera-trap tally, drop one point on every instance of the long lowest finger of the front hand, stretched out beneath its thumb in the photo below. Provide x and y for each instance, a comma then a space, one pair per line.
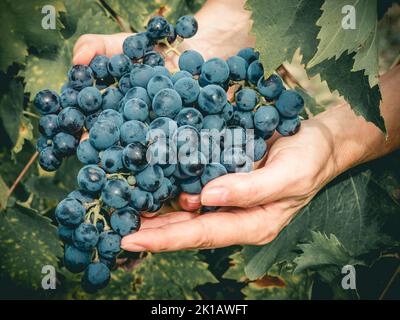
211, 230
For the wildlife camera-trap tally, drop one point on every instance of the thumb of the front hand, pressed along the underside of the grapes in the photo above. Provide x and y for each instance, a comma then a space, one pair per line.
246, 189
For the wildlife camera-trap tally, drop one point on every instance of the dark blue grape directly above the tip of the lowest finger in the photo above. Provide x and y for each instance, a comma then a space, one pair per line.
125, 221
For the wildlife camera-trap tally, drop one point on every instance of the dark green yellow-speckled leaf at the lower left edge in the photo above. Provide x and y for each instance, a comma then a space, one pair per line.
28, 242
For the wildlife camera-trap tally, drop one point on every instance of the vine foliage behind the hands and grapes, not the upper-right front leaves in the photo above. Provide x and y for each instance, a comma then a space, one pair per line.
332, 231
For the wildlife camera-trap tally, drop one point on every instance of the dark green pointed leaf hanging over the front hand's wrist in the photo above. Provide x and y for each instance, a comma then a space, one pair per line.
353, 86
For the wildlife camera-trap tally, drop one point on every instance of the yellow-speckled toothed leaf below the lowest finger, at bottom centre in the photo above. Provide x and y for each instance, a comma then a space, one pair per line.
177, 273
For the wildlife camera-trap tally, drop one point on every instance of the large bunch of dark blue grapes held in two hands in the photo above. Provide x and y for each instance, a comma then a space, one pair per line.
152, 135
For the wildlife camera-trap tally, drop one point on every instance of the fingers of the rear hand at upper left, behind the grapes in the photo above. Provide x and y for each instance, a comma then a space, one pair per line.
90, 45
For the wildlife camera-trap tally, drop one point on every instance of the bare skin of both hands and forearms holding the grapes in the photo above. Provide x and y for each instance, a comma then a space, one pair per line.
259, 204
